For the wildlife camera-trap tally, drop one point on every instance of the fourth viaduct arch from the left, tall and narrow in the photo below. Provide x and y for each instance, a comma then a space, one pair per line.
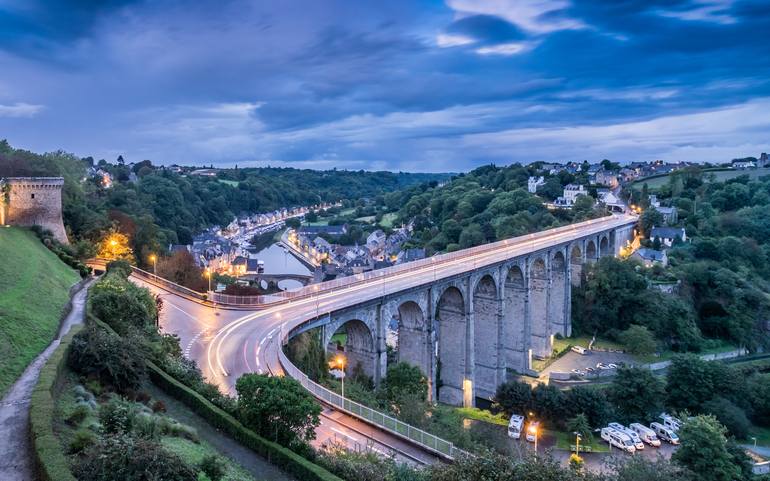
485, 336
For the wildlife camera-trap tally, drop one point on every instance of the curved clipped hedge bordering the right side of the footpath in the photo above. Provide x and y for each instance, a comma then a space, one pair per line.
50, 461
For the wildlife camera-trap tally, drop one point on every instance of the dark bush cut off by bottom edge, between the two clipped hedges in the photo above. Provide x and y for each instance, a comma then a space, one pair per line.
131, 459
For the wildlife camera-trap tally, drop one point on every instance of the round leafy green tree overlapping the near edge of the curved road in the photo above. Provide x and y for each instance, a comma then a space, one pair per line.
279, 408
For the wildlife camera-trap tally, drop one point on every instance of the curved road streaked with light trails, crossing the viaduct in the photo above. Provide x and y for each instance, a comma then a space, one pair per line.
229, 343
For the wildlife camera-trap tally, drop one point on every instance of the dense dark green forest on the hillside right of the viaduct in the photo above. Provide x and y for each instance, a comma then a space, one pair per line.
721, 272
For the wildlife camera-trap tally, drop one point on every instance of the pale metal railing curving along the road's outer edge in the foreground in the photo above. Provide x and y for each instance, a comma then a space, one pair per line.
387, 423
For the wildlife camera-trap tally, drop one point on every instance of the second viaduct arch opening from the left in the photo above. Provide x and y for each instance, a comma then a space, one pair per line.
411, 340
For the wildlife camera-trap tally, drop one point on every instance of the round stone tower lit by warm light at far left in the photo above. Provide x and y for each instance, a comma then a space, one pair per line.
28, 201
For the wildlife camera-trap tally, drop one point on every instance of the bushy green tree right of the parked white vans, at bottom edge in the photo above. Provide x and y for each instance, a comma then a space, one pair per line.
704, 450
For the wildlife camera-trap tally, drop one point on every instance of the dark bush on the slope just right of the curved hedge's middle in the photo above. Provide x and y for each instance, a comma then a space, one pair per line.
115, 361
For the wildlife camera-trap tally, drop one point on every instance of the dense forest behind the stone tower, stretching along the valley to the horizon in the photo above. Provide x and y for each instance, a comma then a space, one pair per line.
155, 207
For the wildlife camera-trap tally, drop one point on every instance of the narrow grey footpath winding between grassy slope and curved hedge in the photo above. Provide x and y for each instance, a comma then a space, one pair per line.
15, 460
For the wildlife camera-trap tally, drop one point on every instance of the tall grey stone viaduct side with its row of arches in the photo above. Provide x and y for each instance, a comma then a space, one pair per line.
465, 332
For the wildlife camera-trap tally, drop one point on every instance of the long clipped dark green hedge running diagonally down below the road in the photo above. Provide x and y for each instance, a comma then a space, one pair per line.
286, 459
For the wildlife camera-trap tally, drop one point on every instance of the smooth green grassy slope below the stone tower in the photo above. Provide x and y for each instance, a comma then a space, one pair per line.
34, 288
